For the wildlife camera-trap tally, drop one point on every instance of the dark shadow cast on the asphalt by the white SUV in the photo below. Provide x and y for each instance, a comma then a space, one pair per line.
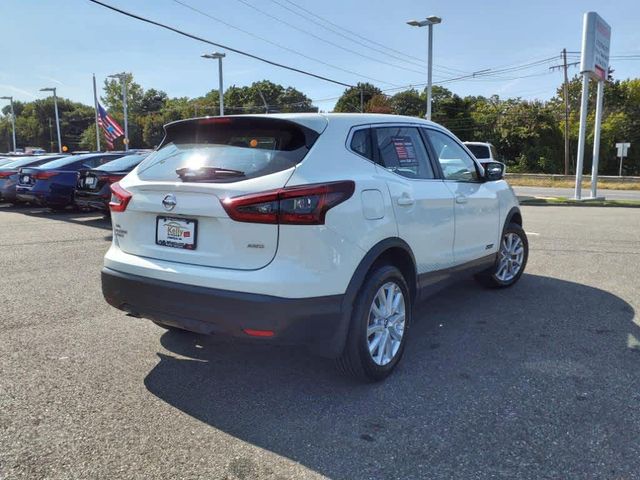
495, 381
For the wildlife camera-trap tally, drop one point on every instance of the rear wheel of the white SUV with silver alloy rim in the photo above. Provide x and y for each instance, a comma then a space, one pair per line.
357, 359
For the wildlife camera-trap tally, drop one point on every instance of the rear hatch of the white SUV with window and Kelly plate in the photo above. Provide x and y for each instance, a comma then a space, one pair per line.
175, 212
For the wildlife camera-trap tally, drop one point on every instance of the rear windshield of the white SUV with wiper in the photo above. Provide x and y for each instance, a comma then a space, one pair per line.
227, 149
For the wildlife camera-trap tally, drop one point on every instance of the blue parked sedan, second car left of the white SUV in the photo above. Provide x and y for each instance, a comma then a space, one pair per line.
52, 184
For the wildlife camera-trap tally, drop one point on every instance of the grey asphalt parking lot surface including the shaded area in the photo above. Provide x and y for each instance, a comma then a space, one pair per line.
539, 381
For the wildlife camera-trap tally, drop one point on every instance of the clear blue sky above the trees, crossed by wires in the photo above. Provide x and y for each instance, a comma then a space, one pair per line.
48, 43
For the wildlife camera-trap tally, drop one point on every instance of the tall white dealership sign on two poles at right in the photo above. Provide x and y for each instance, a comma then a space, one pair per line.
594, 64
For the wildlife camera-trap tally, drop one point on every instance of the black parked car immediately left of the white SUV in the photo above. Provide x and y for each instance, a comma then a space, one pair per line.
94, 186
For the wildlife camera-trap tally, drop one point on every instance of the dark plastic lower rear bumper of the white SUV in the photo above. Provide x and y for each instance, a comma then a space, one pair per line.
315, 322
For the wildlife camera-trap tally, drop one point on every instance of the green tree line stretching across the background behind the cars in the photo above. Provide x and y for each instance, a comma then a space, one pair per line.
528, 134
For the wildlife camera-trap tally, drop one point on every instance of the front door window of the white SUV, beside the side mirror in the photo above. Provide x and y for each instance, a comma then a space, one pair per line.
455, 162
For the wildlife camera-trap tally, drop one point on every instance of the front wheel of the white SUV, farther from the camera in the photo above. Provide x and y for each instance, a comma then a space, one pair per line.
501, 274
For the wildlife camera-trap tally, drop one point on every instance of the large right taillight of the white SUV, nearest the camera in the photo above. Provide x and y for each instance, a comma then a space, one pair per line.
301, 205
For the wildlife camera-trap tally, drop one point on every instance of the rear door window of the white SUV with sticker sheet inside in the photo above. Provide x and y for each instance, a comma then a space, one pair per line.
402, 152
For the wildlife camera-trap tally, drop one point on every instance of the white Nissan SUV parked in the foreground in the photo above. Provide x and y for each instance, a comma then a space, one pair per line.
311, 229
